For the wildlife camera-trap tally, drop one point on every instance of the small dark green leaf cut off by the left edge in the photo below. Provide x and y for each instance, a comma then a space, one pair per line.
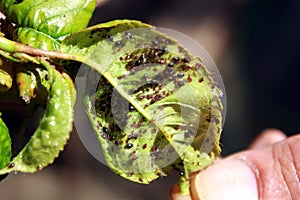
5, 147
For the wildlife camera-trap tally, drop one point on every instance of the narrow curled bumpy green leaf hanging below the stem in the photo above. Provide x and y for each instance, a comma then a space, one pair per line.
54, 129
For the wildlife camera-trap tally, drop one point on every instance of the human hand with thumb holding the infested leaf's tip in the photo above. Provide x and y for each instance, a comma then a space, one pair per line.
268, 170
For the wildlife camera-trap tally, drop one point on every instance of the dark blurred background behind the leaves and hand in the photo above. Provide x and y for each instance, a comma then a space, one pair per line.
255, 45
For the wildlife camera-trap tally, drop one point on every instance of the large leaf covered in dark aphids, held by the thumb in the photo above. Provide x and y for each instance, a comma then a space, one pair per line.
156, 106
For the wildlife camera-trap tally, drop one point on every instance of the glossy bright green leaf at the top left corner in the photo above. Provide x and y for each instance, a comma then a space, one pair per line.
52, 17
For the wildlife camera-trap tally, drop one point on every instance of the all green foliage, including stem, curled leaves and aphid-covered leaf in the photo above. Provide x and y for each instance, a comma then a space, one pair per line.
156, 107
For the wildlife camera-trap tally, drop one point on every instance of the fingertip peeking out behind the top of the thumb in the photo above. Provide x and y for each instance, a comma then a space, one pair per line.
267, 137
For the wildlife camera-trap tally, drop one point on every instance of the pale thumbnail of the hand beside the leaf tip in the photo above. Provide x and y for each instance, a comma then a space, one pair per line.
229, 179
